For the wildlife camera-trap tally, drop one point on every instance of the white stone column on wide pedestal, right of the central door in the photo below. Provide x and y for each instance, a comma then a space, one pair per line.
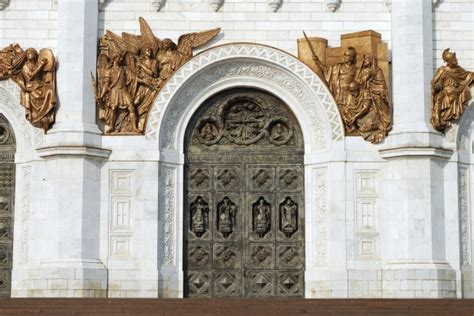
413, 193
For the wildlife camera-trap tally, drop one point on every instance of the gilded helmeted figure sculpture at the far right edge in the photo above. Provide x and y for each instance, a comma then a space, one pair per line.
450, 92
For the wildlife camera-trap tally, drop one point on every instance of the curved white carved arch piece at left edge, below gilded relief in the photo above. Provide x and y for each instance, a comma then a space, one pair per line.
10, 102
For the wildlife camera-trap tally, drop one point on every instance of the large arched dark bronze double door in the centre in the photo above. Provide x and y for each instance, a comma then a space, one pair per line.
244, 200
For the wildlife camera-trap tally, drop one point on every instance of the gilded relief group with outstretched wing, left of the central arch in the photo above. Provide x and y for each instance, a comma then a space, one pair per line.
131, 70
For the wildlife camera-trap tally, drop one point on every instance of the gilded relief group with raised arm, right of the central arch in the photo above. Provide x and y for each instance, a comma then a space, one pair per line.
359, 89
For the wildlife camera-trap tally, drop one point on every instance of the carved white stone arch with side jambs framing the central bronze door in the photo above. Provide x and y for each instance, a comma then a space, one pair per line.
218, 69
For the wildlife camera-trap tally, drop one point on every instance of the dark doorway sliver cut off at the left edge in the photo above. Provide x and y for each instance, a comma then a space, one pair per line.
7, 189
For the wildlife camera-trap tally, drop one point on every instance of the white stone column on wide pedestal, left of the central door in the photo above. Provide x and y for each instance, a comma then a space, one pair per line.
70, 265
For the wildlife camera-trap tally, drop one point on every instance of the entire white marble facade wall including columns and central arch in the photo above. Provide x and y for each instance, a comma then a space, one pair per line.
101, 215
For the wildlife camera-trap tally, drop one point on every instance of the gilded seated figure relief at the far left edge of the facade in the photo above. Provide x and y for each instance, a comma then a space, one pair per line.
35, 74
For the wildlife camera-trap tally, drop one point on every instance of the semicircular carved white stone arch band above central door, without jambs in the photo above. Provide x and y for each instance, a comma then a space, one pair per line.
235, 61
